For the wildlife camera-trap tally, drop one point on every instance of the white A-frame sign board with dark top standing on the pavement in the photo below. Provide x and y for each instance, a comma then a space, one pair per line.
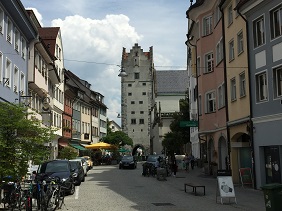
225, 187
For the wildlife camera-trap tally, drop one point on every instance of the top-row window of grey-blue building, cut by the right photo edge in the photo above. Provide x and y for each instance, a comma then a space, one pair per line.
276, 22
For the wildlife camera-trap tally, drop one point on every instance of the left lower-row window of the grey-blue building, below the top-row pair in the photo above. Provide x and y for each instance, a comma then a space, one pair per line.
261, 87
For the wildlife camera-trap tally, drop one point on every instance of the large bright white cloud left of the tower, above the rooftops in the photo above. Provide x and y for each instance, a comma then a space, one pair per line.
101, 41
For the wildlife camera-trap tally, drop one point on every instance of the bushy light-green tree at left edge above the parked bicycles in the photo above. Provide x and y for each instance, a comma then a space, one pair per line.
21, 139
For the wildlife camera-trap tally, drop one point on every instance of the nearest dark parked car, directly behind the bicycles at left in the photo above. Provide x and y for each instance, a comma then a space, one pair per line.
57, 168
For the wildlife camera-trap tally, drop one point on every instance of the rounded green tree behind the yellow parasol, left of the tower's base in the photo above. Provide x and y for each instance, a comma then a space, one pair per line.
118, 138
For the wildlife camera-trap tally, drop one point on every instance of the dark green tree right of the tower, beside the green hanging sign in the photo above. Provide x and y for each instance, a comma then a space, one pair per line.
174, 140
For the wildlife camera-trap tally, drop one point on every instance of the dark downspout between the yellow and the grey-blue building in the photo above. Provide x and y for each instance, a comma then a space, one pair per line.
251, 112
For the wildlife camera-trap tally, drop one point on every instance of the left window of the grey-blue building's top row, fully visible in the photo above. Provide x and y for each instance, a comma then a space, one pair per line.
258, 32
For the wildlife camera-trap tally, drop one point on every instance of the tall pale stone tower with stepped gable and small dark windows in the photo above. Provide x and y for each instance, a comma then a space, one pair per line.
138, 98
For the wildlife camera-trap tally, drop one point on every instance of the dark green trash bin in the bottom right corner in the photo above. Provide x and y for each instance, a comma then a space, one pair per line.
272, 196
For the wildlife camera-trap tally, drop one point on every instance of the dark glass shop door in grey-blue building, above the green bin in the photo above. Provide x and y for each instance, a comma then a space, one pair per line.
272, 164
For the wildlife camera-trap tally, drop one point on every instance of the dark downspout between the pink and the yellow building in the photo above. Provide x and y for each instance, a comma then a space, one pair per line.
225, 89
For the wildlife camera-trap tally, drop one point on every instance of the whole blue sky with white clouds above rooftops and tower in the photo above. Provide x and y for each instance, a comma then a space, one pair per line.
94, 33
